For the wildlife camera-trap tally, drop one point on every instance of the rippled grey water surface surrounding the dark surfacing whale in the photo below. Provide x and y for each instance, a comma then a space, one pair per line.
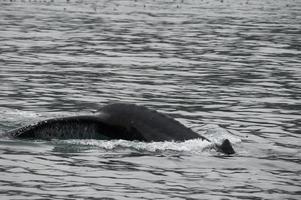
231, 68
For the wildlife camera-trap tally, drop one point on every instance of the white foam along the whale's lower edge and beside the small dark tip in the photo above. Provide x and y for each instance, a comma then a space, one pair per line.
214, 133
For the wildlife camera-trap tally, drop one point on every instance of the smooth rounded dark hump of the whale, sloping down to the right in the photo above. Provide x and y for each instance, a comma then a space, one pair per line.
149, 124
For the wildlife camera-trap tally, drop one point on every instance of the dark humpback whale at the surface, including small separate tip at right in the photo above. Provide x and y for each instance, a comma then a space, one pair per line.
114, 121
